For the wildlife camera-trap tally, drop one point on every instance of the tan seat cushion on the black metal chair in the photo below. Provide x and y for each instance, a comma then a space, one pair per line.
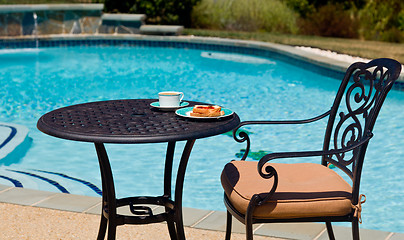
304, 190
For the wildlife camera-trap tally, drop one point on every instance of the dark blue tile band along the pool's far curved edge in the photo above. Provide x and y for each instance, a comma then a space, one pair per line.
266, 50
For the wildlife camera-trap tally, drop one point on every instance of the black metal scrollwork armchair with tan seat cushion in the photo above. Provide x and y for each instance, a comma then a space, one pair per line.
266, 192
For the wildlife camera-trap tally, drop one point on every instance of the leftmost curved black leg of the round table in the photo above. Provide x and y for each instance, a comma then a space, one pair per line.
108, 213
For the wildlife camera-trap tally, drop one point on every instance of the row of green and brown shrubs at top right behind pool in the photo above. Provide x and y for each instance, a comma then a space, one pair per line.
365, 19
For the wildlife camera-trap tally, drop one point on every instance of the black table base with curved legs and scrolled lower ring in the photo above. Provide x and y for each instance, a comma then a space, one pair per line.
143, 214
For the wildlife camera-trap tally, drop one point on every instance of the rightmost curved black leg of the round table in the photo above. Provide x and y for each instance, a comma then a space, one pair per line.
179, 188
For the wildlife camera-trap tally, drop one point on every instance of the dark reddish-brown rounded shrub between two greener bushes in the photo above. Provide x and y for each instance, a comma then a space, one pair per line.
330, 21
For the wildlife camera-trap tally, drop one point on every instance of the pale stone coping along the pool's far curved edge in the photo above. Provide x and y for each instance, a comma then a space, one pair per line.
287, 51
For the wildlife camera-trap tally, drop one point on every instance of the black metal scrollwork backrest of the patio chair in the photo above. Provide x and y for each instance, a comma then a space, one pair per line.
354, 112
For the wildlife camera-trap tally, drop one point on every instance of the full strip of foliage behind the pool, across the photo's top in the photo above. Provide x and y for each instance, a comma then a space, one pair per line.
380, 20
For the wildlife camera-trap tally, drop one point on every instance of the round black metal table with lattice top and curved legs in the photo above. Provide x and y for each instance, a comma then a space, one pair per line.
129, 122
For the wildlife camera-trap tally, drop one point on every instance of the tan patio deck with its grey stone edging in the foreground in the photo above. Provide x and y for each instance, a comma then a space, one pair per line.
33, 214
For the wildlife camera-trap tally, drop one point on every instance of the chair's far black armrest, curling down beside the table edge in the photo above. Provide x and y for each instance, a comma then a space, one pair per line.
242, 136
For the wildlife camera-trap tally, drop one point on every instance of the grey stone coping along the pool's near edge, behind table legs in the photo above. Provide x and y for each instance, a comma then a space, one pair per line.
193, 218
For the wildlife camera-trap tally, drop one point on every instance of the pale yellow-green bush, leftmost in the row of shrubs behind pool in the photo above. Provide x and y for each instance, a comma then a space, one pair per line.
252, 15
